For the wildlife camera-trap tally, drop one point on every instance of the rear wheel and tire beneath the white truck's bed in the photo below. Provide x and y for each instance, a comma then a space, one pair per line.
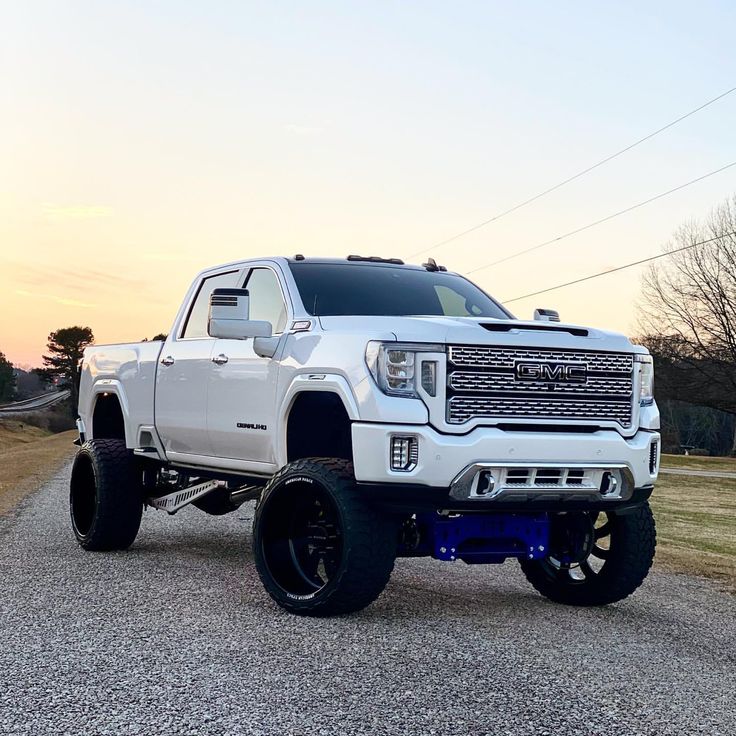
105, 496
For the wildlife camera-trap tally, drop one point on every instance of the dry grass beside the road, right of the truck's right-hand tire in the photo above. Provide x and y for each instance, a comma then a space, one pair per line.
696, 525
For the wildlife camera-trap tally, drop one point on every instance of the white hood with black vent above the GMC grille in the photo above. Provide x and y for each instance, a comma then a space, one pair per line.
486, 331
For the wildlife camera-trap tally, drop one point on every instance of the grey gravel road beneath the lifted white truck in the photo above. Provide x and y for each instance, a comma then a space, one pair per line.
176, 636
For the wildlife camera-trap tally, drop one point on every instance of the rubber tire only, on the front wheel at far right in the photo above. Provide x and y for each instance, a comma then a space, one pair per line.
632, 545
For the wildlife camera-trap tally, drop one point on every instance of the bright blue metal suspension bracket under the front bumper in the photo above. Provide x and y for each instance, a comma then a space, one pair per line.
484, 538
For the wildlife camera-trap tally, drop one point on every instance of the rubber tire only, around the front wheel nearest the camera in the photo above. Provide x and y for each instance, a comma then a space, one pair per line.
367, 539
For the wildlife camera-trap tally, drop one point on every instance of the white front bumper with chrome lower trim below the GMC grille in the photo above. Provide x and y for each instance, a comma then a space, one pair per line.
449, 461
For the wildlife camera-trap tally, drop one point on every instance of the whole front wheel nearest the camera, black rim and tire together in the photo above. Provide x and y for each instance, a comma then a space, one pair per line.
319, 549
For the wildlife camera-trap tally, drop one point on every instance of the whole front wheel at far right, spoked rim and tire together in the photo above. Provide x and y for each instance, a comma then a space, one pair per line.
595, 558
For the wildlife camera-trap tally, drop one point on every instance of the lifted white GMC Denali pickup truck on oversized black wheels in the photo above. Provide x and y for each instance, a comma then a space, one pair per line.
376, 410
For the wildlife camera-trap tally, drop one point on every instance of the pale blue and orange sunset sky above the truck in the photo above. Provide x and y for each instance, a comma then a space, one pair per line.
143, 141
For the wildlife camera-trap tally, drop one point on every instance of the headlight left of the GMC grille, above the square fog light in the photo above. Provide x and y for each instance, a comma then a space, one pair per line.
395, 367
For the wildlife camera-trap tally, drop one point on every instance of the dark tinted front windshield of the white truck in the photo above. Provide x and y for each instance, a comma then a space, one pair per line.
342, 289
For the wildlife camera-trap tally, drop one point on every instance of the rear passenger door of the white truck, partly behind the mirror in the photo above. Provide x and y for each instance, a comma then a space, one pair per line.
183, 375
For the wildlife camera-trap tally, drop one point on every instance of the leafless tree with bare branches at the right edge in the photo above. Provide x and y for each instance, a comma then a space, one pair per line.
688, 312
